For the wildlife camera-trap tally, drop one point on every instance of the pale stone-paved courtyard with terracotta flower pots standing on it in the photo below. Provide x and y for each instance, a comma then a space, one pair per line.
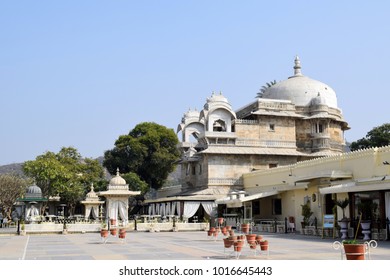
167, 246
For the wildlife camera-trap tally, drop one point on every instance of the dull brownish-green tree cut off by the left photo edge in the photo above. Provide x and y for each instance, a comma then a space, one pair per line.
11, 187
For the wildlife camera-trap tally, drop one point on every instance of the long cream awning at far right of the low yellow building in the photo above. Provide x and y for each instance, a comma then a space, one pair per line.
355, 187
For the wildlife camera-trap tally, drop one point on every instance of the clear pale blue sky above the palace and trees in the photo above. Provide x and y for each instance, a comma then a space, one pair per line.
81, 73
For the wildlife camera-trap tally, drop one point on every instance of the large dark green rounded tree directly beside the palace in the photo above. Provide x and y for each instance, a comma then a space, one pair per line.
149, 150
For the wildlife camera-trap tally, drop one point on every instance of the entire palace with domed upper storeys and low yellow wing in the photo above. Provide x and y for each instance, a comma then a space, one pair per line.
263, 161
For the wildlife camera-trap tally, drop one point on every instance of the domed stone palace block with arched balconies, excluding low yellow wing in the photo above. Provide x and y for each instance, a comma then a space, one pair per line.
295, 120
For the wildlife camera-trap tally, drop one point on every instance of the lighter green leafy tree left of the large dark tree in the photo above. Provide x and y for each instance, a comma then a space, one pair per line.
65, 174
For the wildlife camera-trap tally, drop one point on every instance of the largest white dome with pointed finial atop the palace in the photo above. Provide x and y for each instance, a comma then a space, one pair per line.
301, 90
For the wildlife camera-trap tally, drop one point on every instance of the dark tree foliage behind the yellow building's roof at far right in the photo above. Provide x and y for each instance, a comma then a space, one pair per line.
377, 137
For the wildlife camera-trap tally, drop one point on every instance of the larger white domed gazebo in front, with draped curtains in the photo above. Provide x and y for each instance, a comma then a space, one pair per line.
117, 199
